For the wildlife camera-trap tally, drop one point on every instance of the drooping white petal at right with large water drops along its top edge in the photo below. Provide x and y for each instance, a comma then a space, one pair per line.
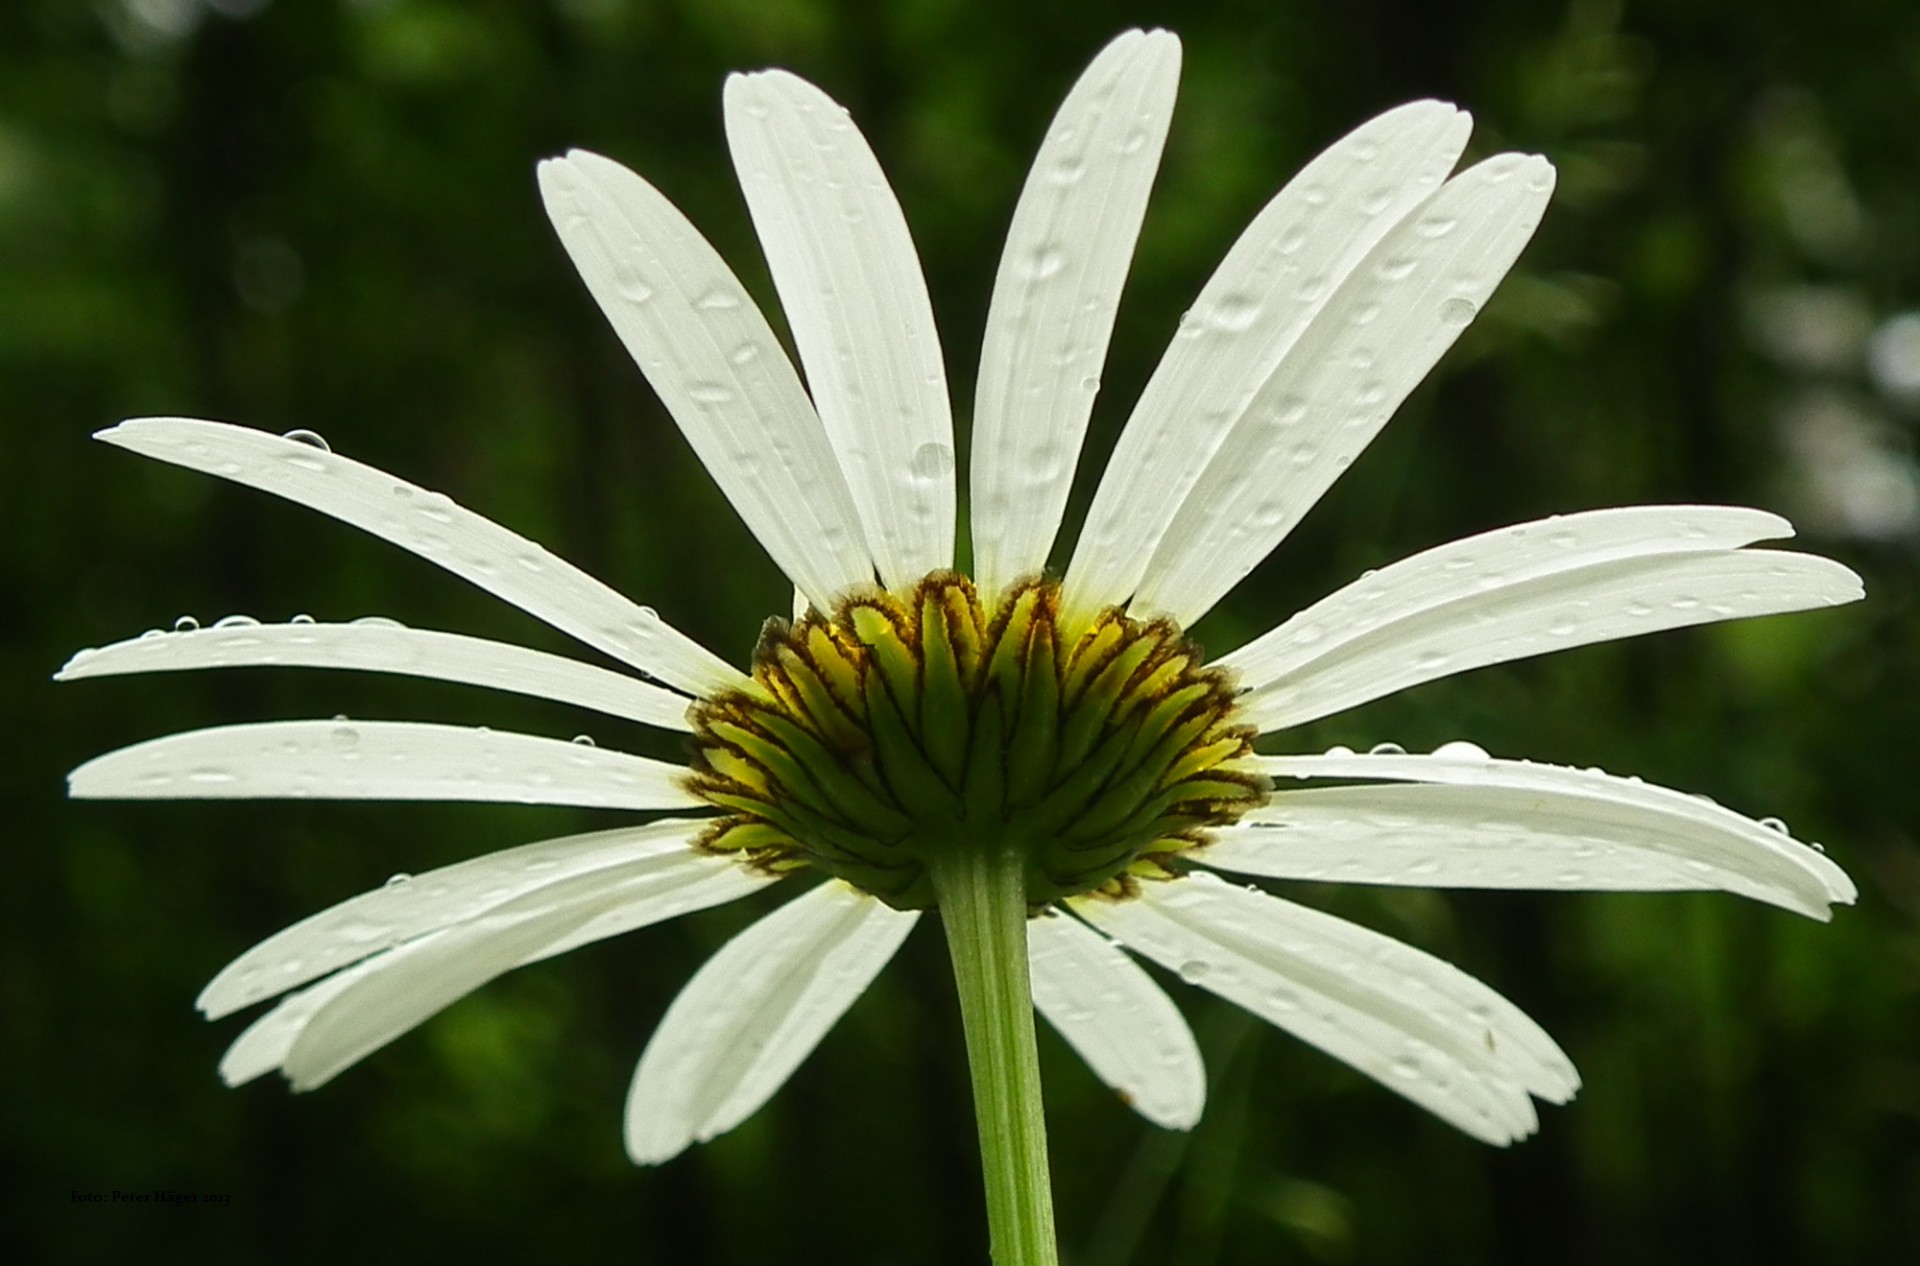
1522, 825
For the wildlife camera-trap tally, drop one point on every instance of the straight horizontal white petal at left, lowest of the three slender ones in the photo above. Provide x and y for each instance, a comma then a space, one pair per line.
379, 760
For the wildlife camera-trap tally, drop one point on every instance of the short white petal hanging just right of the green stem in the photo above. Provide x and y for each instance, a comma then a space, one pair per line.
1118, 1021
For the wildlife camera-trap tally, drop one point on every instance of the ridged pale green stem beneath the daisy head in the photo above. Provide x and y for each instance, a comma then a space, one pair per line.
984, 908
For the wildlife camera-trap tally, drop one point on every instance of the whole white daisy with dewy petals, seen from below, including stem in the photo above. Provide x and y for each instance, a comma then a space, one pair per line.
1047, 762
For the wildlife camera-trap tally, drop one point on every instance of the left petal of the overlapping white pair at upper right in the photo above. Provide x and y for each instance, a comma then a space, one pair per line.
1264, 295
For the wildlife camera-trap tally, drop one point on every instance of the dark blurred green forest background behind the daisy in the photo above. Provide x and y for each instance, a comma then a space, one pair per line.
320, 214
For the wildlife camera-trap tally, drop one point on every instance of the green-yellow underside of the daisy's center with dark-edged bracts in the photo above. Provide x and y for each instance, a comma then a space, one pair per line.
905, 727
